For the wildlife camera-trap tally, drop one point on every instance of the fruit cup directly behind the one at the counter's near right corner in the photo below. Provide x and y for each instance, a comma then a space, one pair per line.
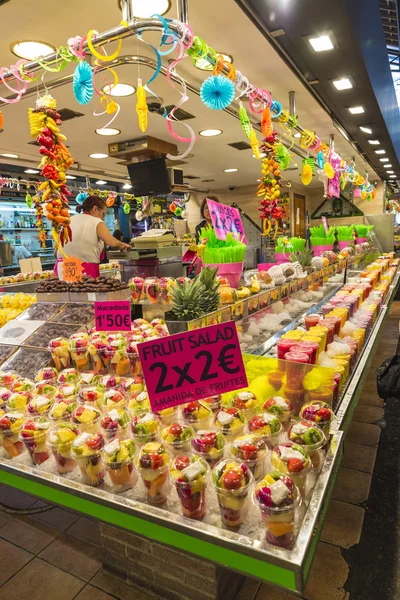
292, 459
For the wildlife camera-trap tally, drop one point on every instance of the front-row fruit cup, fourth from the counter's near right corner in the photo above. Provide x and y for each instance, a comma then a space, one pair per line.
152, 463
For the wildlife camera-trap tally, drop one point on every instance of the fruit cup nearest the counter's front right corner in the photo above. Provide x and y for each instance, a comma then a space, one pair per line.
277, 498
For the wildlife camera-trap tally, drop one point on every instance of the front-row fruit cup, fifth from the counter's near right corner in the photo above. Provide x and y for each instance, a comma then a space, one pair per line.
118, 456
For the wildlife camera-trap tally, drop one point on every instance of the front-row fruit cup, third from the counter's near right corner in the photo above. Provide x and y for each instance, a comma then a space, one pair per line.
188, 474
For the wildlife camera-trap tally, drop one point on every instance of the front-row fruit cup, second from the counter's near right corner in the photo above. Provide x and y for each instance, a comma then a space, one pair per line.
231, 481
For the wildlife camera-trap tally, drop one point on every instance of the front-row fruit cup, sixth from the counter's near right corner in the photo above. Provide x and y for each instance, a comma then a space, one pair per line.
86, 450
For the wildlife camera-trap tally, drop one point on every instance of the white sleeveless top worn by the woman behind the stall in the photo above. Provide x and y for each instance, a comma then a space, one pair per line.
85, 244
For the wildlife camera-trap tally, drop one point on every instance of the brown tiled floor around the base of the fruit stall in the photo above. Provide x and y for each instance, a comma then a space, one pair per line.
55, 555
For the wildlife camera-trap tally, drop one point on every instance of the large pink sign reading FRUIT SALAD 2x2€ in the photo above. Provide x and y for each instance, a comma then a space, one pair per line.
192, 365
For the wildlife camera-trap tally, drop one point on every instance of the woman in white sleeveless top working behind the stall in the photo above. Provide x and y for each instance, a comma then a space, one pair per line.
89, 236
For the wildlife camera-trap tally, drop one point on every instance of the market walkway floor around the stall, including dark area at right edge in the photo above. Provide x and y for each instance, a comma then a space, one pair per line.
56, 554
